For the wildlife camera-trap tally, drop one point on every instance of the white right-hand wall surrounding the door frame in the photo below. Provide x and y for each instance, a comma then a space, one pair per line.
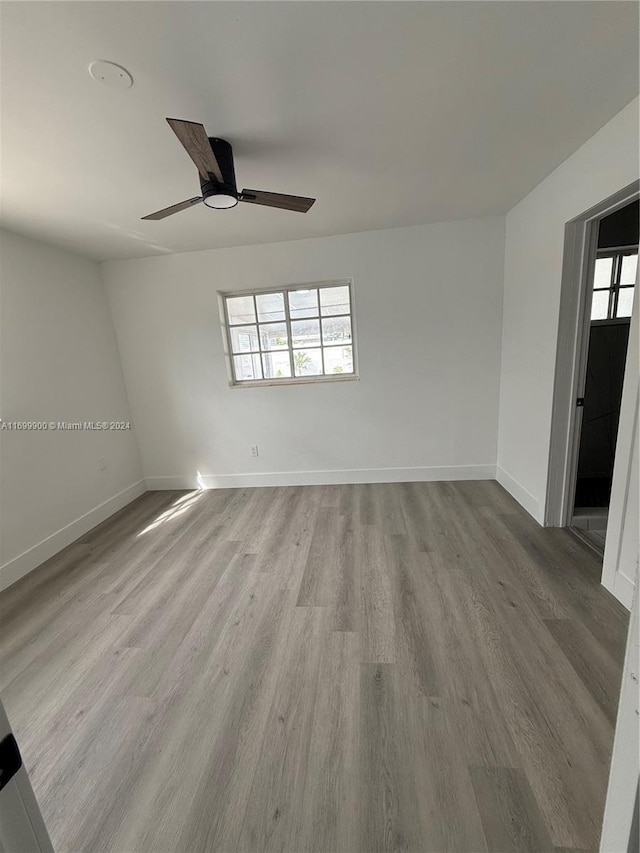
533, 266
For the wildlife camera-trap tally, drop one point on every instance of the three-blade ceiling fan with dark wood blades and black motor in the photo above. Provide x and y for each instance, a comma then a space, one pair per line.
214, 160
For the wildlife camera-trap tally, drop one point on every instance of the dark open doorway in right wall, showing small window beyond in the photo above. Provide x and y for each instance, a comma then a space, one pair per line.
612, 290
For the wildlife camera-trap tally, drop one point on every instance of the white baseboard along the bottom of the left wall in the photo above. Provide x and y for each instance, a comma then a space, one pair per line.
24, 563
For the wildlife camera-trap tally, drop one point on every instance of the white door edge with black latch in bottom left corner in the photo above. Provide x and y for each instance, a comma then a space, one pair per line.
22, 828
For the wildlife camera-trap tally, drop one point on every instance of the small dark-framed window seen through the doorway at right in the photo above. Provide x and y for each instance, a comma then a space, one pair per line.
613, 282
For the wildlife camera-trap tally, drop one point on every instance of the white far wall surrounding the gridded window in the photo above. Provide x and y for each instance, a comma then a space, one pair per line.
428, 307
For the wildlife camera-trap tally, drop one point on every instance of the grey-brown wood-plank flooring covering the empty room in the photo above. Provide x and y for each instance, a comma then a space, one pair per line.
404, 667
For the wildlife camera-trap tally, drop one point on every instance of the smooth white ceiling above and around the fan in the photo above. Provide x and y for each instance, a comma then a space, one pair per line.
388, 113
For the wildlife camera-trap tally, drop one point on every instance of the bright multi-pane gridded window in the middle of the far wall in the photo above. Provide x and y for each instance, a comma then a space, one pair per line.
299, 333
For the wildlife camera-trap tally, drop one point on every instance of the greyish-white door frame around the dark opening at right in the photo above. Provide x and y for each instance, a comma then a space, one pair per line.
580, 246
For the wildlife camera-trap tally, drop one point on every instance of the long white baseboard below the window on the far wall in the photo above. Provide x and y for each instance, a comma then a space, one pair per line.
322, 478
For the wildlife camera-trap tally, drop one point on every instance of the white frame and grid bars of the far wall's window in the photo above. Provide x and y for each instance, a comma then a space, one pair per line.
223, 295
